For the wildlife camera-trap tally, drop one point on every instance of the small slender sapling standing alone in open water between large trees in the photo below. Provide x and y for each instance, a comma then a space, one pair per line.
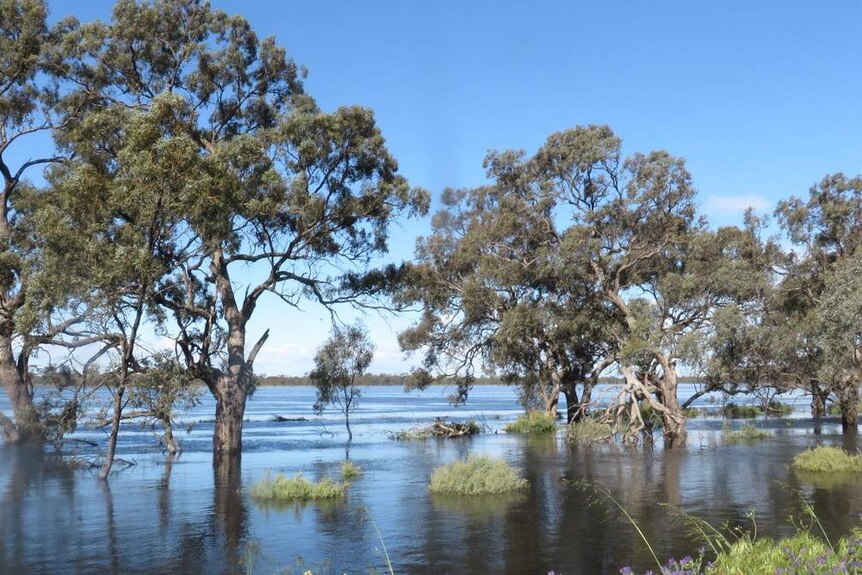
339, 361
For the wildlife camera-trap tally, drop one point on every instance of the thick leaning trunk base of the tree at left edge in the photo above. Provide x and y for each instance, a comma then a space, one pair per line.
27, 427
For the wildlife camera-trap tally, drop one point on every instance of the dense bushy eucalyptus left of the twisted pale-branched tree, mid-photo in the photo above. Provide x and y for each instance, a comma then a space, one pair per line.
496, 295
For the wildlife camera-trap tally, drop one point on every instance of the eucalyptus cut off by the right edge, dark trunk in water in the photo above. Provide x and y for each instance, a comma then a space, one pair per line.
826, 229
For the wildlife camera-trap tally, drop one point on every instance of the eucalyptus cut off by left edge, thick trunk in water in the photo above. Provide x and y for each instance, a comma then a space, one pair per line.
33, 102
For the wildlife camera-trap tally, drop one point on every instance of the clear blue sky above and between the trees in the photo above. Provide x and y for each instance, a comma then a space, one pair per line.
761, 98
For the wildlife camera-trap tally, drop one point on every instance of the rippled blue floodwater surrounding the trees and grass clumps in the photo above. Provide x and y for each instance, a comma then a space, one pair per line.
165, 515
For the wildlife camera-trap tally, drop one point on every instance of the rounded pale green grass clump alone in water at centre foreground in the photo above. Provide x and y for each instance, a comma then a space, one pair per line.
476, 475
